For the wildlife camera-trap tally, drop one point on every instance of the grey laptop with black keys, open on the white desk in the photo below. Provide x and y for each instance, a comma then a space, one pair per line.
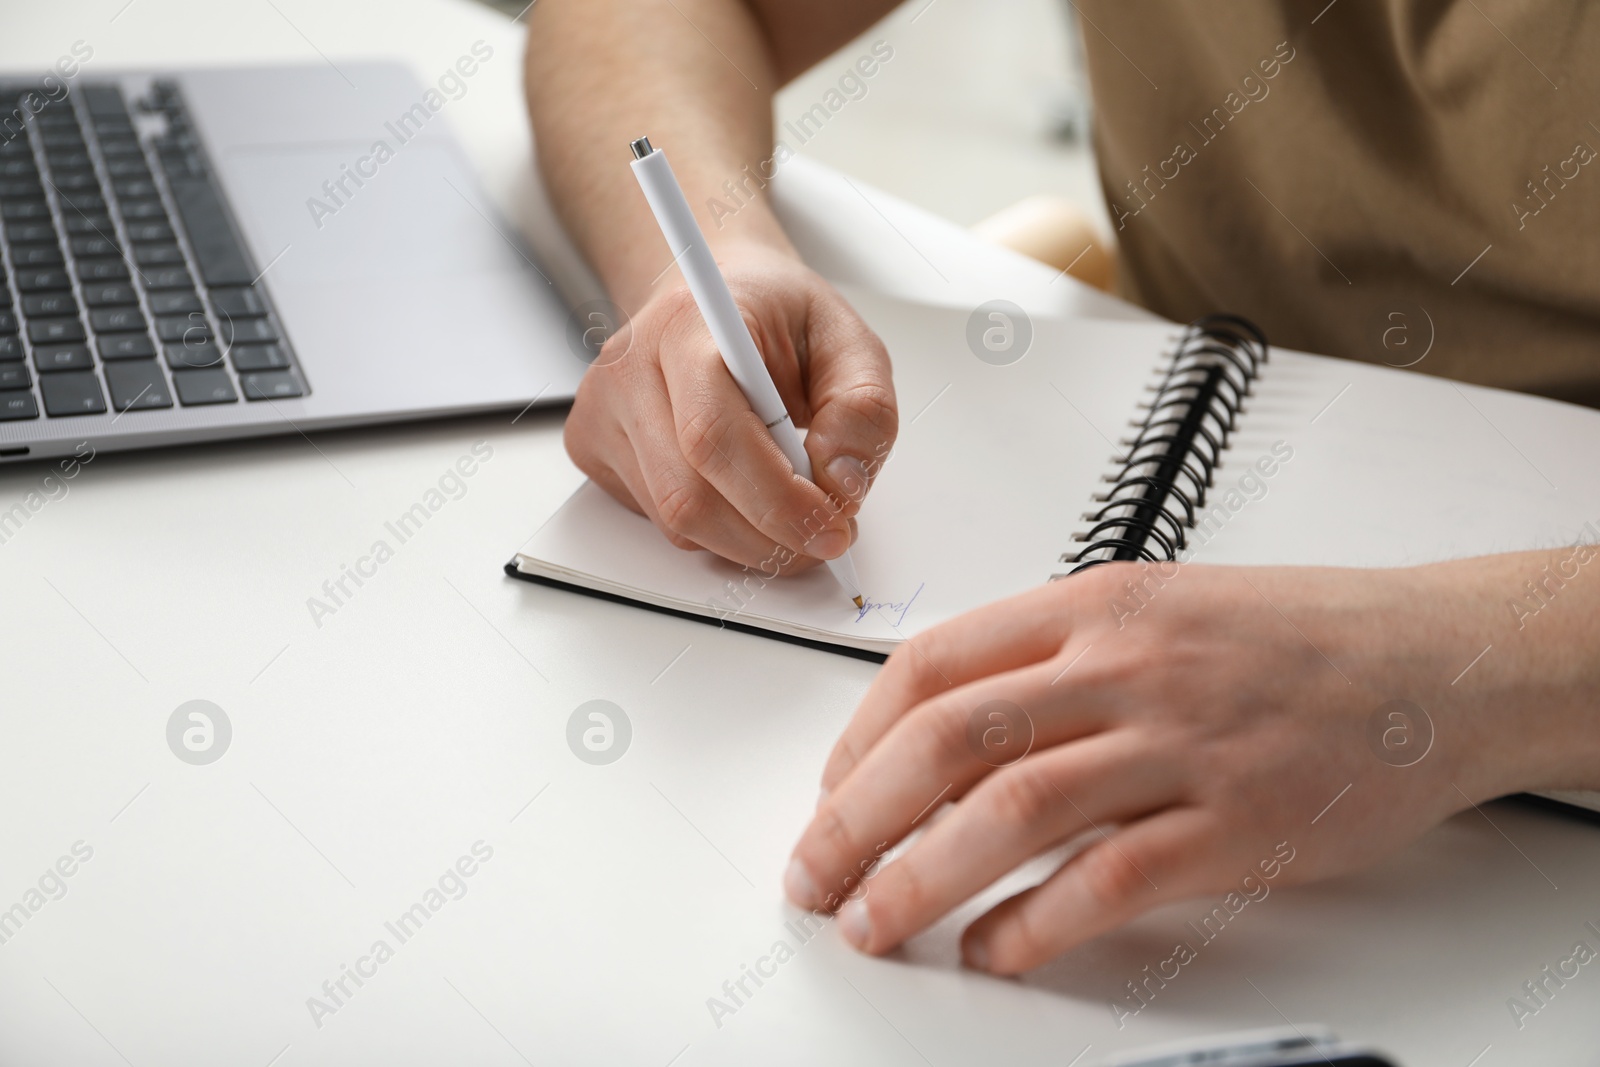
204, 255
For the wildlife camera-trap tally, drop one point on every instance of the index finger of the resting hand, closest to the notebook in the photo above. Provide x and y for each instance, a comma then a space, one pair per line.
994, 639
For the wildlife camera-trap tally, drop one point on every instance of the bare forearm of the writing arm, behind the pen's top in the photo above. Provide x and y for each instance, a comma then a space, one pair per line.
692, 74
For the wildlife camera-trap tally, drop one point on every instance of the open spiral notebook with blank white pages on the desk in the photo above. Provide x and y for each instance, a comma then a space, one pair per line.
1090, 441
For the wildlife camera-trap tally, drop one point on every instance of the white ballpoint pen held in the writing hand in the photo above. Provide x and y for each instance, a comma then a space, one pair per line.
722, 316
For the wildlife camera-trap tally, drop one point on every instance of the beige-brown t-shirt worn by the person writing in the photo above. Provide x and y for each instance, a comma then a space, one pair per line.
1399, 182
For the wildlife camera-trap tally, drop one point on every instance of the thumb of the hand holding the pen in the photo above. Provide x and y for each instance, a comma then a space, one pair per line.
850, 386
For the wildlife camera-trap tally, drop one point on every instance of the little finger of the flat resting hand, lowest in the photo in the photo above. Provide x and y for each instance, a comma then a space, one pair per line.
1166, 858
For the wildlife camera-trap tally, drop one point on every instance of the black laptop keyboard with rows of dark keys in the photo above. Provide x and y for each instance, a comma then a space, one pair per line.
124, 284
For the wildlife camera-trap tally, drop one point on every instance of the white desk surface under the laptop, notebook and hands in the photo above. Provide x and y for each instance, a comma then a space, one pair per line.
374, 751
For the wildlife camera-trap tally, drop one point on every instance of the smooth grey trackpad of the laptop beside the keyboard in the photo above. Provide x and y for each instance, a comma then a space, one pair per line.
343, 212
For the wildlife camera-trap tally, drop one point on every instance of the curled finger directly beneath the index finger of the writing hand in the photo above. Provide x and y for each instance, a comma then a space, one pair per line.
682, 503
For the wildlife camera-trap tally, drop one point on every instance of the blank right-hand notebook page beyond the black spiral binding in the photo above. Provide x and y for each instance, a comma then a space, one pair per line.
1393, 468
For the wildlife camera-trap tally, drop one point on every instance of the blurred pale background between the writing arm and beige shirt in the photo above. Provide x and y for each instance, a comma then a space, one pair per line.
982, 106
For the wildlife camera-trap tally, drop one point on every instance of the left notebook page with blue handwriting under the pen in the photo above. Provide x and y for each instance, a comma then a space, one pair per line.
986, 487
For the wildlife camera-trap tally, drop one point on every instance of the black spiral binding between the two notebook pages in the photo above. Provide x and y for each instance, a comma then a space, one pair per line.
1169, 465
